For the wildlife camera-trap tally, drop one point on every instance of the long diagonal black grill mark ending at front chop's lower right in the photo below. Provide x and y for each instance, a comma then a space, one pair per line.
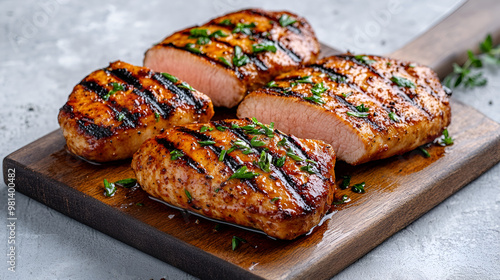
290, 184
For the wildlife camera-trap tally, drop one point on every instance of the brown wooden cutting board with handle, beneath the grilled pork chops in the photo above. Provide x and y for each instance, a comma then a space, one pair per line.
398, 190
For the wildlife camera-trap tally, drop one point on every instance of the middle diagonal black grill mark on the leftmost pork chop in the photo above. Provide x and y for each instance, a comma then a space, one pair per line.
161, 108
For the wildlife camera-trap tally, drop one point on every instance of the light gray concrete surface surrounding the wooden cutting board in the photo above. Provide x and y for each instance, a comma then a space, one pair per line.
48, 46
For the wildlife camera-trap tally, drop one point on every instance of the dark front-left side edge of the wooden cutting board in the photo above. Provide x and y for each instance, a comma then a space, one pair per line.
107, 219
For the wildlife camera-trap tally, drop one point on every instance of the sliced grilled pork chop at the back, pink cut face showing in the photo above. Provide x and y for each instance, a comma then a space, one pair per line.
236, 52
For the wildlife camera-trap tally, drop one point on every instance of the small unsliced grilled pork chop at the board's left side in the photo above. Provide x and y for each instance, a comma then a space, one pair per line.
112, 111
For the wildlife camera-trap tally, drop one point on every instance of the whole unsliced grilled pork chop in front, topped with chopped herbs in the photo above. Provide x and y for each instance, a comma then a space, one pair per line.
243, 172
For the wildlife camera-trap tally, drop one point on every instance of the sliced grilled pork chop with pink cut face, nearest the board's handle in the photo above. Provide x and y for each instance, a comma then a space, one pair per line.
366, 107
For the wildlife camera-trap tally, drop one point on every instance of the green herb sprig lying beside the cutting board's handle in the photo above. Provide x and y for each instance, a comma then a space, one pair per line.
462, 75
